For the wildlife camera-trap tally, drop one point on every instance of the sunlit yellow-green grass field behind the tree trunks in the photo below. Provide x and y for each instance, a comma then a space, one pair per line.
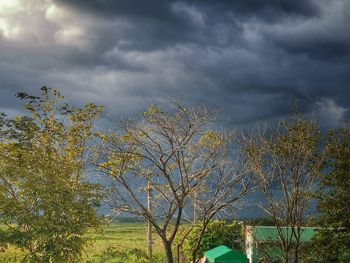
118, 242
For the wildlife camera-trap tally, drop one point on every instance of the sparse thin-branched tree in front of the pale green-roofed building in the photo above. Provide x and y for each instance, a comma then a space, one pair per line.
285, 161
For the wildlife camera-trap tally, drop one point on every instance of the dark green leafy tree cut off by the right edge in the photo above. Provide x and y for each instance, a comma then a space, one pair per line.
332, 243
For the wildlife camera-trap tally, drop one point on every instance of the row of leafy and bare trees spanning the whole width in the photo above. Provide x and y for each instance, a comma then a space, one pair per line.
169, 165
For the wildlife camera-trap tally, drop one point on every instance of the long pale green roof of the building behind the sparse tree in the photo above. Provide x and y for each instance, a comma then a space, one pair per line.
270, 233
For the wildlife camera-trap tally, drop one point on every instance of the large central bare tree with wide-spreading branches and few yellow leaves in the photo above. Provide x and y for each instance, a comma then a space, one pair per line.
179, 155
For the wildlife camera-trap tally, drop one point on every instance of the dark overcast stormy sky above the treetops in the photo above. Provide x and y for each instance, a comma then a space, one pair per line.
252, 58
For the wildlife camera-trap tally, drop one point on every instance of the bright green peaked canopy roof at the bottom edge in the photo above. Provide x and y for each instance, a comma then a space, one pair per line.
223, 254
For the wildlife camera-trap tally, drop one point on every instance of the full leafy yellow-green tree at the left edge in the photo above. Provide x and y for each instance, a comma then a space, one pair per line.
45, 200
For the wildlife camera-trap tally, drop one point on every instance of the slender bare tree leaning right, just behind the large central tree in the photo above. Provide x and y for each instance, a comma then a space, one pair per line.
230, 182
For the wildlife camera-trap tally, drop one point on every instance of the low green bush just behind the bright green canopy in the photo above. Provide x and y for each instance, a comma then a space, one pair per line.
217, 233
